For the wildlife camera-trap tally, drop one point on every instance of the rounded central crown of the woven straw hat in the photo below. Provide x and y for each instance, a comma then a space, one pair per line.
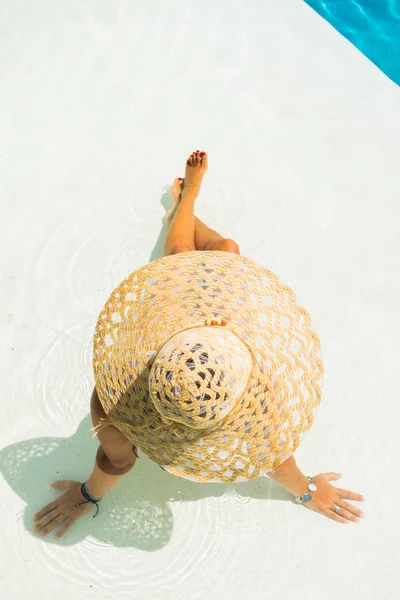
198, 376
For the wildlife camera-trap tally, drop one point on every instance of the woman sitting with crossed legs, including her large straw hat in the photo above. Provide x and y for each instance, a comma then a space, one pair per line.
199, 422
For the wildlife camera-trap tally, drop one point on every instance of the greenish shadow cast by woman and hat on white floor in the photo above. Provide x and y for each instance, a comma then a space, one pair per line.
135, 513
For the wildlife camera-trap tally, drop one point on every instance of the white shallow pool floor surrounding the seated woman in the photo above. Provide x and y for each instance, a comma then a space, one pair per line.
101, 102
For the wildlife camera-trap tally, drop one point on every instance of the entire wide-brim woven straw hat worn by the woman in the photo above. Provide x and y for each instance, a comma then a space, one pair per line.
207, 364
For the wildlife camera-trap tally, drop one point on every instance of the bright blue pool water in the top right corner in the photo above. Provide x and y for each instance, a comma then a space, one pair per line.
373, 26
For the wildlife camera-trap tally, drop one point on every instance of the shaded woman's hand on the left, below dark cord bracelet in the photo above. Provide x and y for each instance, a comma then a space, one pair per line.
63, 510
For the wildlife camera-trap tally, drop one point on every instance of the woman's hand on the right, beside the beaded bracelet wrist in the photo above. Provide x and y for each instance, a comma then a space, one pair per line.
327, 497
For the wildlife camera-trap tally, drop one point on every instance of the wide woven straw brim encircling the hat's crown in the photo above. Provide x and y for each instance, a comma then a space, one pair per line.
178, 292
